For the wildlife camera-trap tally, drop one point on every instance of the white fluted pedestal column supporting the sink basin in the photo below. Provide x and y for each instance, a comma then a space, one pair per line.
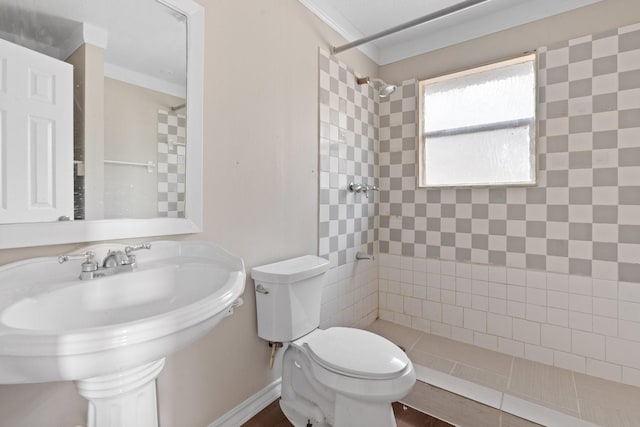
123, 399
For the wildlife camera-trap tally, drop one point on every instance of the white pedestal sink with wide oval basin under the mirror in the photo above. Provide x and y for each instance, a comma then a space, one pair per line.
111, 334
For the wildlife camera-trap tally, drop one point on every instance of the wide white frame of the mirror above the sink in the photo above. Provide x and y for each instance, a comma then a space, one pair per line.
53, 233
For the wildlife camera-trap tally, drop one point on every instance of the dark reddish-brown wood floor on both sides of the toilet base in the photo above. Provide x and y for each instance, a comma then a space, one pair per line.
272, 416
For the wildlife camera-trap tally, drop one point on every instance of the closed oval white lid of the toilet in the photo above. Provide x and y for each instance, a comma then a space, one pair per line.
357, 353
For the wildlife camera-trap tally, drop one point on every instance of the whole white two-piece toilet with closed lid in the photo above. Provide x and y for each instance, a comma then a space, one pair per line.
330, 377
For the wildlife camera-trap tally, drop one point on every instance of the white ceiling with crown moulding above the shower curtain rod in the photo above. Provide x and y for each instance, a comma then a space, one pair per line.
354, 19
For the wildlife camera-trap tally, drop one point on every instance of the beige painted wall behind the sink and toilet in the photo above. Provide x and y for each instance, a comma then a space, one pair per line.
261, 191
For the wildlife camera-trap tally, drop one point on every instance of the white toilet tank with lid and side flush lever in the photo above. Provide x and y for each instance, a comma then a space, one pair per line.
288, 296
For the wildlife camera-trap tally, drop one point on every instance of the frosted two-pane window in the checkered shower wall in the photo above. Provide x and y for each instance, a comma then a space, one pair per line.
477, 127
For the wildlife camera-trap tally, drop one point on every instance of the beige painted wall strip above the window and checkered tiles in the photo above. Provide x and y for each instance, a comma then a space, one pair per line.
602, 16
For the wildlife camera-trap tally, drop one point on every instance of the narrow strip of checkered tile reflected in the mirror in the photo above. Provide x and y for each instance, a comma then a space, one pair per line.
171, 164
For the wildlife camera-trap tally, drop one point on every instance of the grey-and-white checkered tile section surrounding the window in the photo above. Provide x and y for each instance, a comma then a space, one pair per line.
583, 217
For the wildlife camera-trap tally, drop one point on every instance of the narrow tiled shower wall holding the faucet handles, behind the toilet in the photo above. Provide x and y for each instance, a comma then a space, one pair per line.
348, 221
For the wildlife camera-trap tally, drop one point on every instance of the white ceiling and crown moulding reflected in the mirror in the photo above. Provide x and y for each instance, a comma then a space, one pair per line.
144, 40
